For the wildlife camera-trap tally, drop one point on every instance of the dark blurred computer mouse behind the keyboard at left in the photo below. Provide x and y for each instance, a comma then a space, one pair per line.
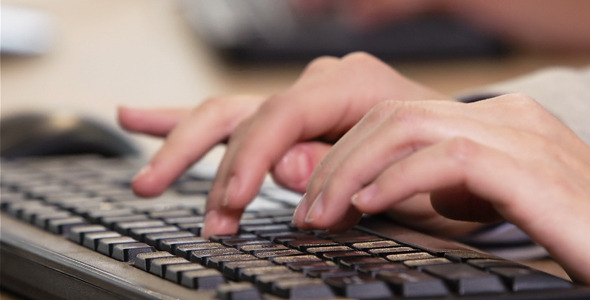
45, 134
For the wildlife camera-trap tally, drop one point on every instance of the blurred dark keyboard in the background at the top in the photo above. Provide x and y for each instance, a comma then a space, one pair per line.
267, 30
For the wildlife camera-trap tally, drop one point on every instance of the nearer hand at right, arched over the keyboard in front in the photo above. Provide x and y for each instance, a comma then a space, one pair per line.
503, 158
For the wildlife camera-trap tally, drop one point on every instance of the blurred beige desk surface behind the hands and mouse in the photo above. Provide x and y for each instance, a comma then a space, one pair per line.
141, 52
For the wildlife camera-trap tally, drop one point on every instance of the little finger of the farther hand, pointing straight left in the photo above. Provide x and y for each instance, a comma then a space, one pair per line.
157, 122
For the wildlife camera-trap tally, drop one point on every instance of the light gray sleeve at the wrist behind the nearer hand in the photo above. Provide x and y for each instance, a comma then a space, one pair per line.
563, 92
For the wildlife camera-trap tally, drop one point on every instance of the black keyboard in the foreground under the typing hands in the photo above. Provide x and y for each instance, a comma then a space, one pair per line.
72, 228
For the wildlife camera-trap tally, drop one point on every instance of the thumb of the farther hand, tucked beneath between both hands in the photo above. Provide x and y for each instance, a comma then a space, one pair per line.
294, 169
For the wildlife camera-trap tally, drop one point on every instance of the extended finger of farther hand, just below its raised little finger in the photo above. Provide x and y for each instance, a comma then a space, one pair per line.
207, 125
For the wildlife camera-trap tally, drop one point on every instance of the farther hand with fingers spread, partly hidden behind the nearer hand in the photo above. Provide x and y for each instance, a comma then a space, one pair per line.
279, 134
